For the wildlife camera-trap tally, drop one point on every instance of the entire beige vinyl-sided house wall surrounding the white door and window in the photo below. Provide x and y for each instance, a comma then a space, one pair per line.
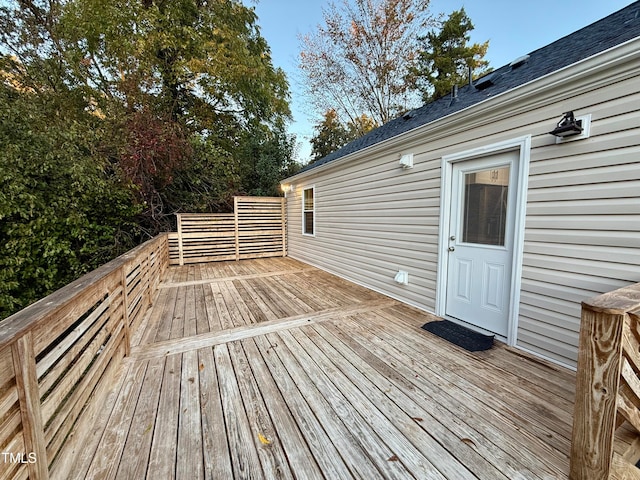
582, 228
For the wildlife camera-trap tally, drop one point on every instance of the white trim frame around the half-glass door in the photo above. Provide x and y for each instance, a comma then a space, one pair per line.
523, 145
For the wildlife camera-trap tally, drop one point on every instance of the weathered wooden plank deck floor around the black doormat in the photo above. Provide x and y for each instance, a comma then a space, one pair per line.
273, 369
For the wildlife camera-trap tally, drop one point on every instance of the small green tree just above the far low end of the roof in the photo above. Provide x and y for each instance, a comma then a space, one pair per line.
331, 133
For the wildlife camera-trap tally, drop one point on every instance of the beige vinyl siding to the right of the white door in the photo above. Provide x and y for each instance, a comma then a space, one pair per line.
582, 234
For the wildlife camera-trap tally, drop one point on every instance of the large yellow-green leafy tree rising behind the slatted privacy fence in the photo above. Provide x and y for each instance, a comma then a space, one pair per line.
164, 75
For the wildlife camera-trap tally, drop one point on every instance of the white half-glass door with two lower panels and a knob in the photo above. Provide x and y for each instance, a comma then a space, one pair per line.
482, 221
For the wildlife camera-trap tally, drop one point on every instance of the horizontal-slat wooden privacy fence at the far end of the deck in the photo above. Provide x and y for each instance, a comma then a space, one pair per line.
256, 228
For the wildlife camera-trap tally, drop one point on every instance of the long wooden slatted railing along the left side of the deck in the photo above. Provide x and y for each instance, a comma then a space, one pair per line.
56, 353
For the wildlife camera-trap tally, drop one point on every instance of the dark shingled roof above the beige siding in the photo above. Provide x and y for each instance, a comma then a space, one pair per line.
606, 33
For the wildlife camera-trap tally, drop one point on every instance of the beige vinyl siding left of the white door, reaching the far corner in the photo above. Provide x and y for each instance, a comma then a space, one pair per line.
373, 219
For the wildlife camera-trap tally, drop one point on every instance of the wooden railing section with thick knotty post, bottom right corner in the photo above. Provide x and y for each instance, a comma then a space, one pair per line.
607, 387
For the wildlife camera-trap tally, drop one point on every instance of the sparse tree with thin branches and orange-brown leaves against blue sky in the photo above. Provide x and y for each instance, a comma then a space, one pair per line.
359, 59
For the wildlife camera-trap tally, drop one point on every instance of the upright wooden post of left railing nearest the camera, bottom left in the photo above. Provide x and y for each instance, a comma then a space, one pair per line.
24, 361
